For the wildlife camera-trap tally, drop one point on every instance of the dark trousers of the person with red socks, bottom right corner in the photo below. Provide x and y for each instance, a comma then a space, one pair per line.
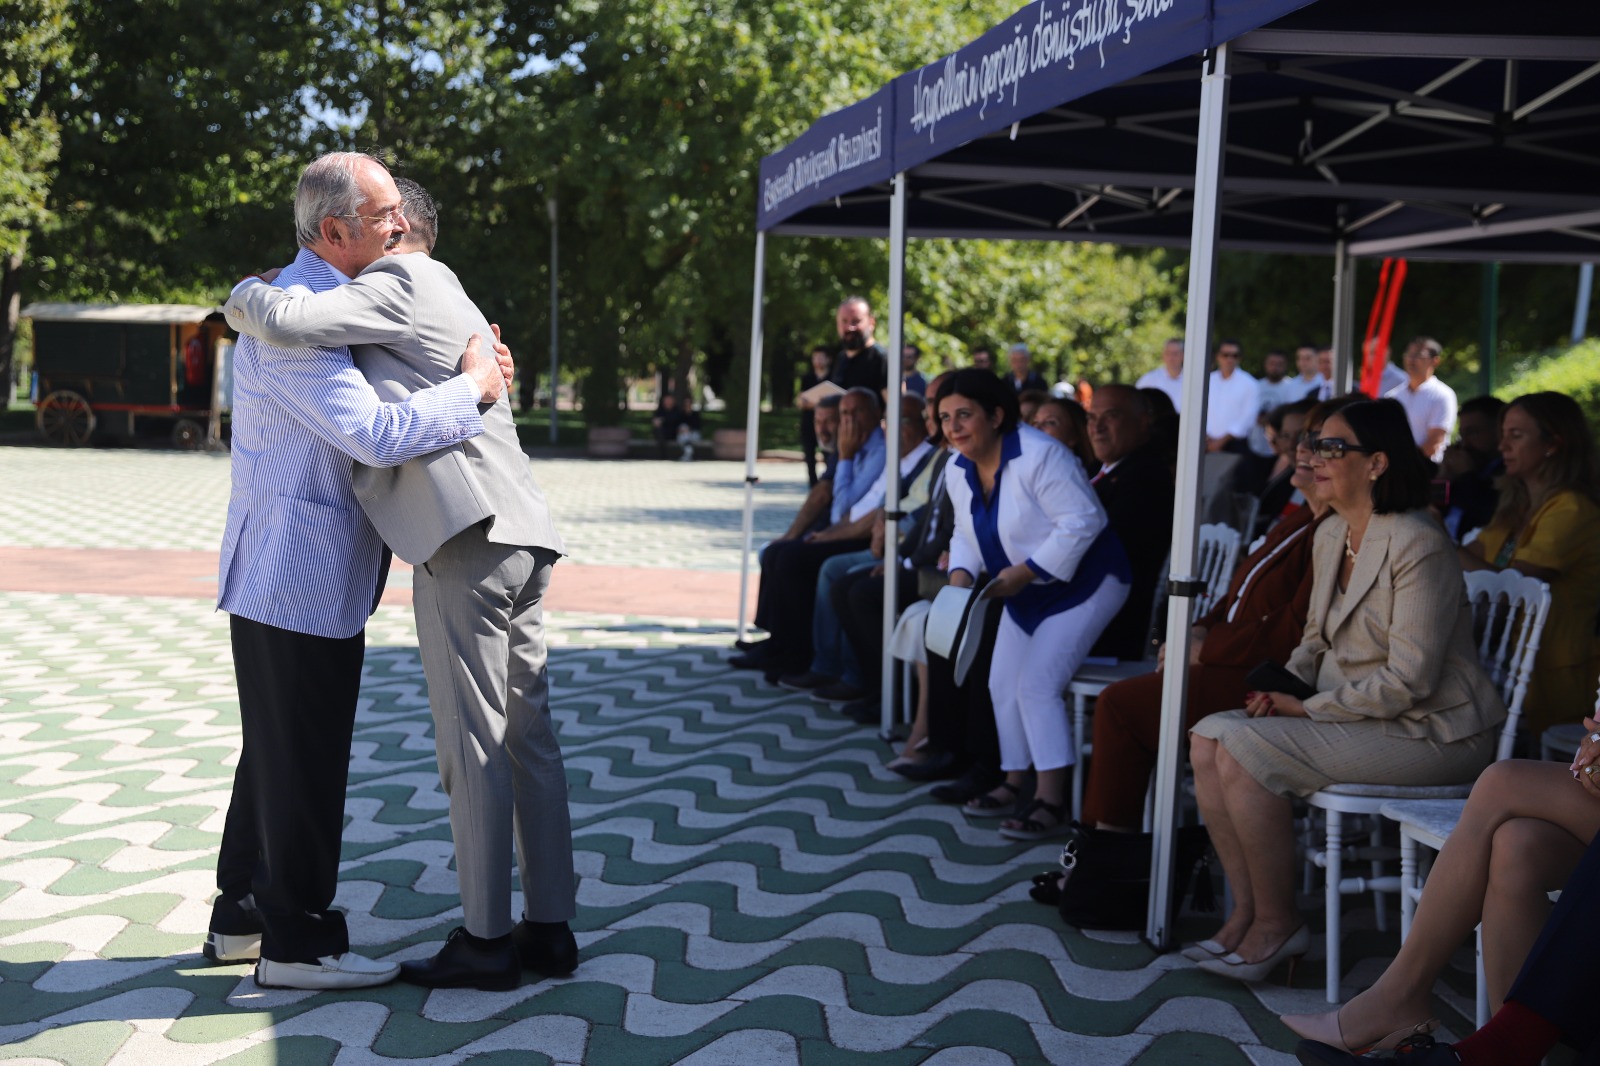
1558, 982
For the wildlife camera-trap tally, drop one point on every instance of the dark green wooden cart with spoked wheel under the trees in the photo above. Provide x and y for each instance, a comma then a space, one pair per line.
106, 366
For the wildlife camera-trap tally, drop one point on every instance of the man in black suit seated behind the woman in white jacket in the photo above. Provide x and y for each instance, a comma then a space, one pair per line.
1135, 486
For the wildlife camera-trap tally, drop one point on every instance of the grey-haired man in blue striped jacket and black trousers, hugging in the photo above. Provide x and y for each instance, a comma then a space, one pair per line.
302, 571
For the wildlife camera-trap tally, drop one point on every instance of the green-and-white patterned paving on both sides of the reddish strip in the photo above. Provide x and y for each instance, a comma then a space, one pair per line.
754, 886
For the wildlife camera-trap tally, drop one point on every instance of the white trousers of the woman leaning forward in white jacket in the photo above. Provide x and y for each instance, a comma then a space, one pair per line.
1030, 675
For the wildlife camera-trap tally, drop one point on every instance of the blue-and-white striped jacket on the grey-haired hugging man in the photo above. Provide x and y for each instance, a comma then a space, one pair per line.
298, 553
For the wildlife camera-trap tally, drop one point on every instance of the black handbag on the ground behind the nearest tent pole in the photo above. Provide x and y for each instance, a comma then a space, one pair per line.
1106, 876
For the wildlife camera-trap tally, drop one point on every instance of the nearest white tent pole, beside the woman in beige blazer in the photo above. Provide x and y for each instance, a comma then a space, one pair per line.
1191, 447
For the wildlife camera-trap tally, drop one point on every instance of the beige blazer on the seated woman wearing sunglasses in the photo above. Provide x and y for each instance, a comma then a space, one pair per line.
1399, 646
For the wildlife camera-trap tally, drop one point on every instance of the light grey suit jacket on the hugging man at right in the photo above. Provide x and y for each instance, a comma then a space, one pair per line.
407, 321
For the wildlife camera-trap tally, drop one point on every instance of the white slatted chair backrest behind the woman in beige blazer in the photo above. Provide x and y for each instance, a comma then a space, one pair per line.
1508, 617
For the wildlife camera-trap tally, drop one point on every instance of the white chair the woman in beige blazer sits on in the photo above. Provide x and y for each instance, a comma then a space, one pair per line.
1510, 611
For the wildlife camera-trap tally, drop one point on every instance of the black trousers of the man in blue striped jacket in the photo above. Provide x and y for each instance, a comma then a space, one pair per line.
297, 702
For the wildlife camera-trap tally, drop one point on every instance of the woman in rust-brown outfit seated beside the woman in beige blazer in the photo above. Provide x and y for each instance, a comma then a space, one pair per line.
1262, 619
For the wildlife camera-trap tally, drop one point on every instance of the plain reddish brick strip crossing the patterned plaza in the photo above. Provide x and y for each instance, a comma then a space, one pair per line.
193, 575
